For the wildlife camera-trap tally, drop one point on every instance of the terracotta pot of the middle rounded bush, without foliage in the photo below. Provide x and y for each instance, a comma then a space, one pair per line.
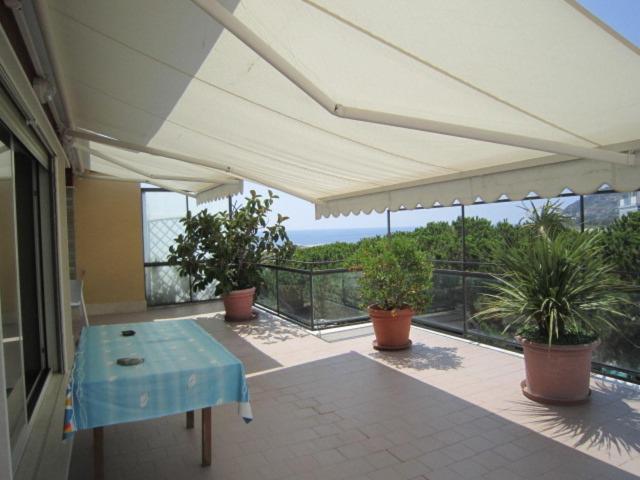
391, 328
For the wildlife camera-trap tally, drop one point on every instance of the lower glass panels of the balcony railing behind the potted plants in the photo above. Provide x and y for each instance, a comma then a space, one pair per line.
319, 295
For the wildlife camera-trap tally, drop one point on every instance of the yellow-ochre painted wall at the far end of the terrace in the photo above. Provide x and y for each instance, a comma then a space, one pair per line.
108, 226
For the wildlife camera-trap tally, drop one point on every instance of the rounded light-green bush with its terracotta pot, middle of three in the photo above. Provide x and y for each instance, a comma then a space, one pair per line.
395, 283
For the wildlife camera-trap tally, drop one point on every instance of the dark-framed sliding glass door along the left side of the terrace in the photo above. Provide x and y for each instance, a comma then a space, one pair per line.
28, 289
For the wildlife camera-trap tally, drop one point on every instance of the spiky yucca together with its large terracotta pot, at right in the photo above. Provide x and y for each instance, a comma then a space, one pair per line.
558, 294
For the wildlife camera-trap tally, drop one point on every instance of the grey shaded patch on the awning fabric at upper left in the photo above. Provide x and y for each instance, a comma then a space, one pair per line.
157, 74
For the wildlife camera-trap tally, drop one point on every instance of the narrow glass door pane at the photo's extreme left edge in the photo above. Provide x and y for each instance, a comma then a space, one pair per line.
9, 298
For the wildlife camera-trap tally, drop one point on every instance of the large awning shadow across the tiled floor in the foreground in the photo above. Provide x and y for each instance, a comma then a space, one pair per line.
343, 417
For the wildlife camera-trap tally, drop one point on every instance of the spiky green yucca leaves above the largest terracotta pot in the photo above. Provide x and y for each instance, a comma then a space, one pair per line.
558, 290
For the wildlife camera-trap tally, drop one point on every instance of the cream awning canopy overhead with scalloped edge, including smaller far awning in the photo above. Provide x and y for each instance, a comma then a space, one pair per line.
451, 97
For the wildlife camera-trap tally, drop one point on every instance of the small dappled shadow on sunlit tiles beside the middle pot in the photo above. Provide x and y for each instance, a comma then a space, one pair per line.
421, 357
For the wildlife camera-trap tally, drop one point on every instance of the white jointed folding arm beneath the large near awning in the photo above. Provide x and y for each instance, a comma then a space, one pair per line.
219, 13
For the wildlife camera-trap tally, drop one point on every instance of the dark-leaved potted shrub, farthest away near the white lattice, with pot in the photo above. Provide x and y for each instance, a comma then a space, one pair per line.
229, 248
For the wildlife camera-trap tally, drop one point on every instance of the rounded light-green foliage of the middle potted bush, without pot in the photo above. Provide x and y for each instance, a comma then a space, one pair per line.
396, 273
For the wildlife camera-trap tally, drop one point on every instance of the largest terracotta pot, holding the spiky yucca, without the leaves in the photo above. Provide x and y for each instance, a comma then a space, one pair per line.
557, 375
